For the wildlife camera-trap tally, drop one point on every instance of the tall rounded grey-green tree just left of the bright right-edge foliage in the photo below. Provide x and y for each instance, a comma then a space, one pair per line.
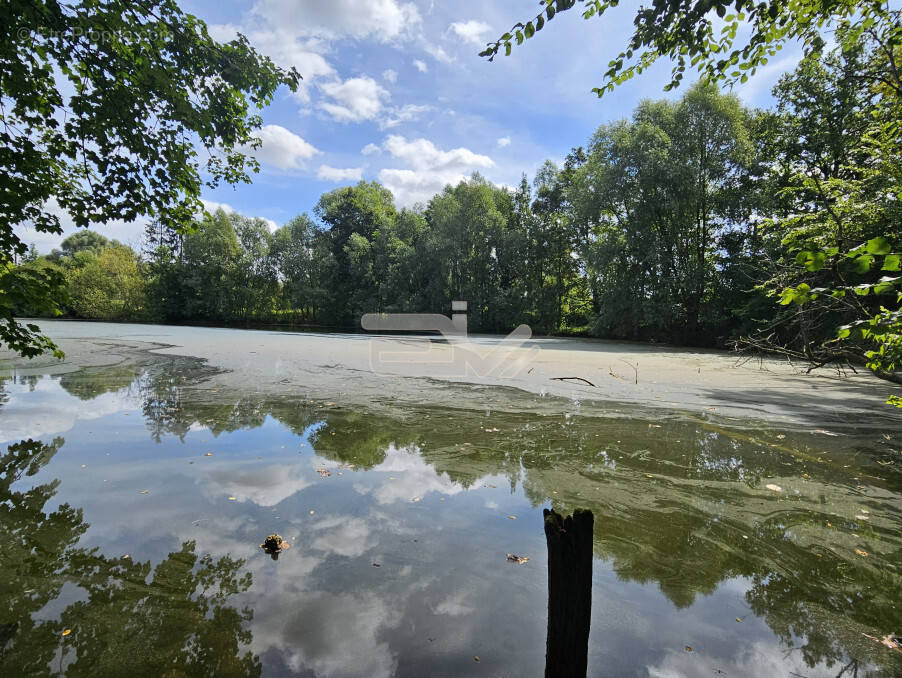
663, 196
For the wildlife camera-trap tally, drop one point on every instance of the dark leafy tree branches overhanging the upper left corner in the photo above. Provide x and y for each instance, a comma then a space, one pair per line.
104, 108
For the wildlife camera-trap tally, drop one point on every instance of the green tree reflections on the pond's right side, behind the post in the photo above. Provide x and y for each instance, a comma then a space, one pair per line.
674, 503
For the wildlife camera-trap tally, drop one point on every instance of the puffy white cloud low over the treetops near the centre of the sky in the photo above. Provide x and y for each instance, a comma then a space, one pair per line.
429, 169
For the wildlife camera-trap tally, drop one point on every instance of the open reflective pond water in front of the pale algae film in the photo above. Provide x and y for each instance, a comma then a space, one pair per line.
134, 499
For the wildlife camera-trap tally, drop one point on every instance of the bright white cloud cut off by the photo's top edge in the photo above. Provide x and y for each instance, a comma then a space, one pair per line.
384, 20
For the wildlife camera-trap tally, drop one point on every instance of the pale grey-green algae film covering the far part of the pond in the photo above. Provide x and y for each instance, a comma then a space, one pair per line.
362, 369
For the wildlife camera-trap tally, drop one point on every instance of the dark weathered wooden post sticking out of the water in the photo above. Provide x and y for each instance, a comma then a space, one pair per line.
569, 592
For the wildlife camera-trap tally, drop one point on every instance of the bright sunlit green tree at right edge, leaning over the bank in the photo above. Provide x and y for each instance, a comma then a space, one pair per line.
836, 235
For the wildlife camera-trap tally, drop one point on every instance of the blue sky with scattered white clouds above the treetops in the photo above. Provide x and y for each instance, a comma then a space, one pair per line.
394, 90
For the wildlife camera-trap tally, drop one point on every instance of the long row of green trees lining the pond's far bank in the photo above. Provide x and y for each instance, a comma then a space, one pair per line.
689, 222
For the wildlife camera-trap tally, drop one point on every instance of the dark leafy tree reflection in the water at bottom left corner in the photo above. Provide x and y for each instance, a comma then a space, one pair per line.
125, 617
